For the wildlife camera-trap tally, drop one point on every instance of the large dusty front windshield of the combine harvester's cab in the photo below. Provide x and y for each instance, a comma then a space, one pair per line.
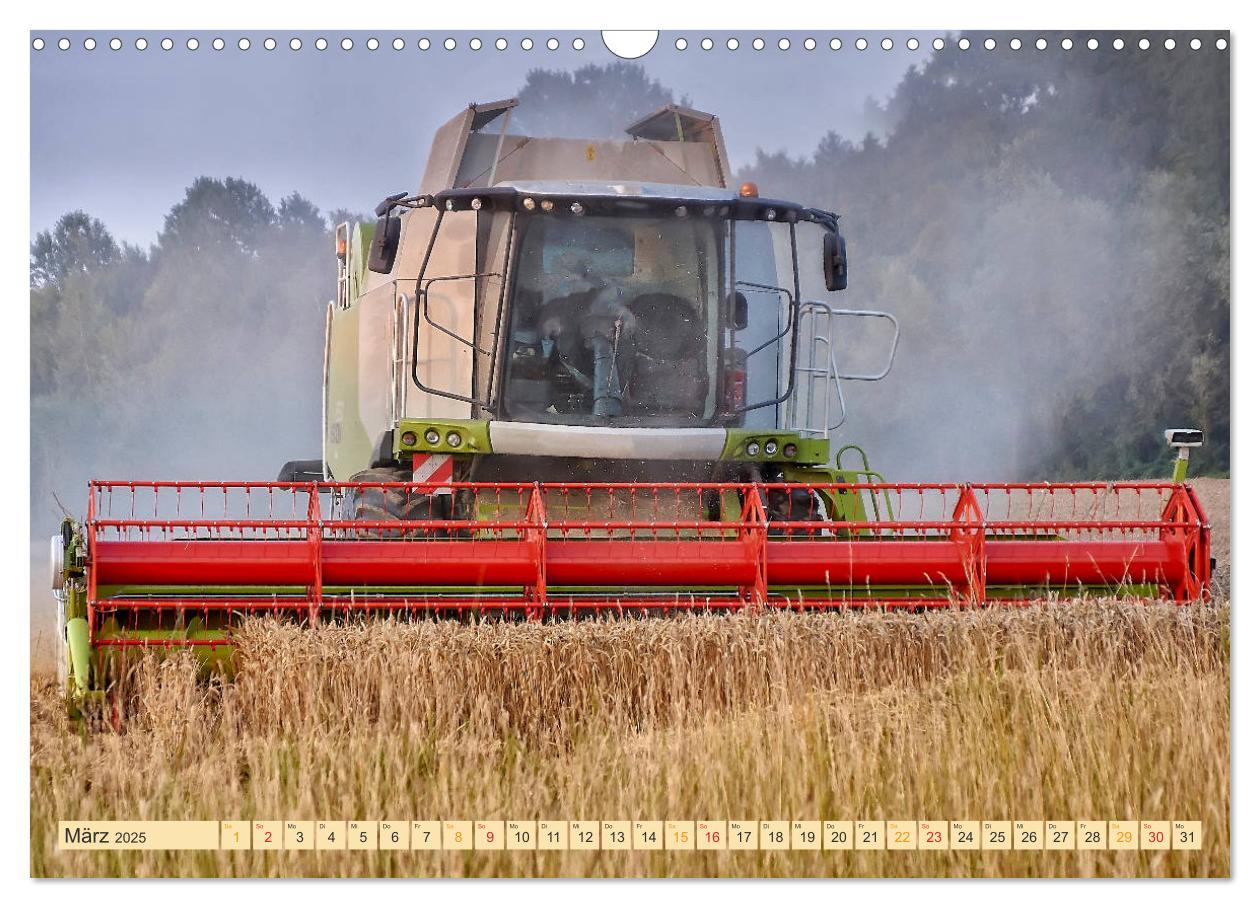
616, 321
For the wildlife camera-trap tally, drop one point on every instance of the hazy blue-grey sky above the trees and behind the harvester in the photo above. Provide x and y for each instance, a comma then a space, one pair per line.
122, 134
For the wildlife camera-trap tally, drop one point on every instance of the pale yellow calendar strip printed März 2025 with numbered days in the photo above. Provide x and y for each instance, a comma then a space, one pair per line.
633, 836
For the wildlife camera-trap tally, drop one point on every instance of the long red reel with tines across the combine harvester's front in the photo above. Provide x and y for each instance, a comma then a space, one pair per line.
962, 540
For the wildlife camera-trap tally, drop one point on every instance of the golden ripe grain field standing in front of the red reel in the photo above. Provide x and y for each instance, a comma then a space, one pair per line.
1074, 711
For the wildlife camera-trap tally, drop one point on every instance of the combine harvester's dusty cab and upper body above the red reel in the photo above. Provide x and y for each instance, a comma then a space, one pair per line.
549, 309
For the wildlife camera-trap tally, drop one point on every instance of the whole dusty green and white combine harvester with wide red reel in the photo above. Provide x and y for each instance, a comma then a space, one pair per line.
573, 377
